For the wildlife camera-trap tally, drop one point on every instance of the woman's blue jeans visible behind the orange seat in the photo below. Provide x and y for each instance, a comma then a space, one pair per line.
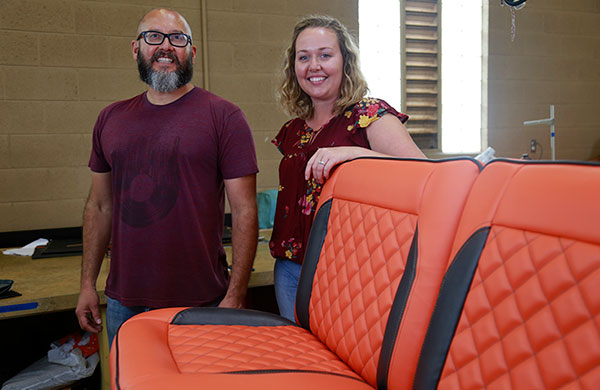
286, 275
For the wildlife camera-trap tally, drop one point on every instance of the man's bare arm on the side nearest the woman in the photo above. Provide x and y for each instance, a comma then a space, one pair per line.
241, 193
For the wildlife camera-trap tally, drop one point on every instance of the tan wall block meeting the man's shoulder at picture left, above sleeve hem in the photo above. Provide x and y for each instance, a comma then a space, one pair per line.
71, 117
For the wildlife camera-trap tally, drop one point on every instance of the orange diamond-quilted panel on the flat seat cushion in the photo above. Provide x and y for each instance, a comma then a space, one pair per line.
214, 348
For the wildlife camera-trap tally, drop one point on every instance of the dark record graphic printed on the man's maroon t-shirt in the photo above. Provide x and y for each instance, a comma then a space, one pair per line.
150, 180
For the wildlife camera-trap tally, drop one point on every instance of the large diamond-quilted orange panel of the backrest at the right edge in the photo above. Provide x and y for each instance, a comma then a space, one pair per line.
532, 306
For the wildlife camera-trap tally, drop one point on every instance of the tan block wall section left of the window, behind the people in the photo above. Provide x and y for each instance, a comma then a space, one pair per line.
64, 60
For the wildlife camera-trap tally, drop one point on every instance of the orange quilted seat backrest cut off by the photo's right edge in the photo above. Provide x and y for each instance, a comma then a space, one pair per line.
519, 306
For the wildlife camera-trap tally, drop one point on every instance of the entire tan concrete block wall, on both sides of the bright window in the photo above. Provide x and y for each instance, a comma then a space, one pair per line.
64, 60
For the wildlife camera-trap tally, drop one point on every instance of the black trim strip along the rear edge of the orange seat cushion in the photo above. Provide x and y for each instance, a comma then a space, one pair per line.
228, 316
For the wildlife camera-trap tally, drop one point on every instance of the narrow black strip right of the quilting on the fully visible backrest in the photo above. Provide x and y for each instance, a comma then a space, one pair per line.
396, 314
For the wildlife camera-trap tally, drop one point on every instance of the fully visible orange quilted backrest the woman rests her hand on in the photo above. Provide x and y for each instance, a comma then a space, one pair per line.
383, 228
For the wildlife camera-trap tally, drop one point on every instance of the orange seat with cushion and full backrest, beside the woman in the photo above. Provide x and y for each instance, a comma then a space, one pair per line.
384, 229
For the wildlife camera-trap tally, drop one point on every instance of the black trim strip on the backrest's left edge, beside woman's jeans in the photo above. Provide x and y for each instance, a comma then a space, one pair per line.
316, 238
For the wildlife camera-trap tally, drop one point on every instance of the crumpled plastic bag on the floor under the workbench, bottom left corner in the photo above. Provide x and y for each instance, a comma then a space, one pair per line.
69, 359
